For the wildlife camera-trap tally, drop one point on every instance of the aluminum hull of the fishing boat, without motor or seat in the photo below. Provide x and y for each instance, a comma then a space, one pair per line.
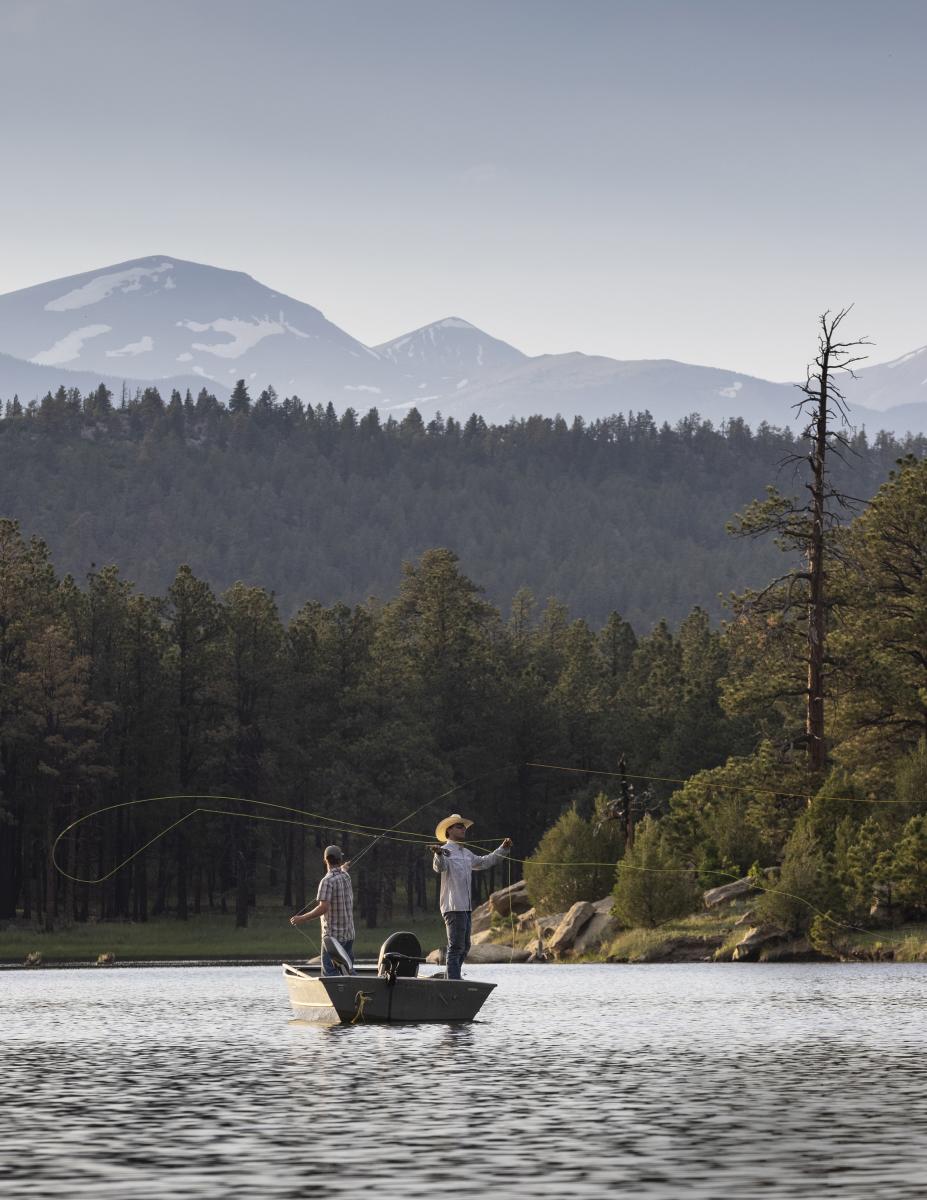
370, 999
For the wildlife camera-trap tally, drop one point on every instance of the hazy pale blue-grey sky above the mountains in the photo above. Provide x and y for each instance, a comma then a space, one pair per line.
637, 178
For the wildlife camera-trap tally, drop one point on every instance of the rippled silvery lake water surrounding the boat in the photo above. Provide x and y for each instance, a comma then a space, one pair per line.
690, 1081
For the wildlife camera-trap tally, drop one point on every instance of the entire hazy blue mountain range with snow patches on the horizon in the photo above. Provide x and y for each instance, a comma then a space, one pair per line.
166, 321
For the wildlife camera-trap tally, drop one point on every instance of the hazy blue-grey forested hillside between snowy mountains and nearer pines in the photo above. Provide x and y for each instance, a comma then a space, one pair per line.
619, 515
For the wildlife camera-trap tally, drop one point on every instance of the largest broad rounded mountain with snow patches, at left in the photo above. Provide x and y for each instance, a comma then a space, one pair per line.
159, 317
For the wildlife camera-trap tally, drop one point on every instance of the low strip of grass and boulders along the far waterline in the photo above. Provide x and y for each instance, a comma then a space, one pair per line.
506, 929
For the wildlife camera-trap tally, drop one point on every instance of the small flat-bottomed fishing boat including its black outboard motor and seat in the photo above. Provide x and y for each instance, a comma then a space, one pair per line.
388, 991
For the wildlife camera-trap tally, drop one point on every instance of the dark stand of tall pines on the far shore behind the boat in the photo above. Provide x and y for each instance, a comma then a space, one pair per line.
343, 716
